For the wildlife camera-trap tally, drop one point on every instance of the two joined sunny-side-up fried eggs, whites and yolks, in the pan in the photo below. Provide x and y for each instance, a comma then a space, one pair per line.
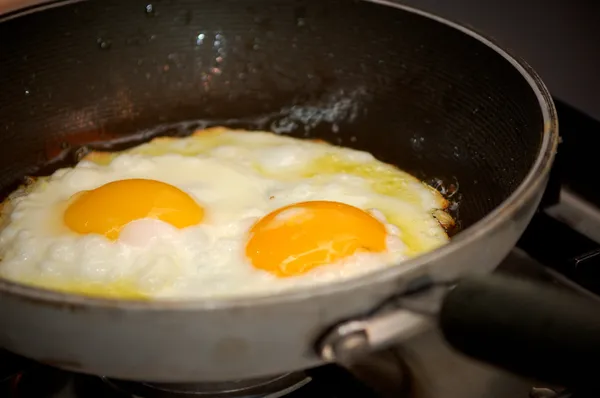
219, 214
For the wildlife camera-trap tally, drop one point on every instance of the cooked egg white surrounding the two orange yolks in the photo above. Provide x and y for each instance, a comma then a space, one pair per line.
237, 177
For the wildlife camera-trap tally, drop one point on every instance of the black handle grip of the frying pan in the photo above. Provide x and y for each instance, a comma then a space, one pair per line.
533, 330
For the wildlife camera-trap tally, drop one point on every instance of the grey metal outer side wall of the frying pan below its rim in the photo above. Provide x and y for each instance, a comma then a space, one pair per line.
183, 345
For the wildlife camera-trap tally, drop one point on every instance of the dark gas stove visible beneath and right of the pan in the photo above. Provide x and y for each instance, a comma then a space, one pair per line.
561, 247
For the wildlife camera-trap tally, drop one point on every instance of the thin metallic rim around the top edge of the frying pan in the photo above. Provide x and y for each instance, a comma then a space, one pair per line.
485, 226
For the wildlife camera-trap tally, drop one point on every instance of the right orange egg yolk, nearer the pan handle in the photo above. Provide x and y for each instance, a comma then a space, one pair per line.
295, 239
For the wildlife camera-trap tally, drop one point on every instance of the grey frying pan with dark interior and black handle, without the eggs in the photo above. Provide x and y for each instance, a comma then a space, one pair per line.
425, 94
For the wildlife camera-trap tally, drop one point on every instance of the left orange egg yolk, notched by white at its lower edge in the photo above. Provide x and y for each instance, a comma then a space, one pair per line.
107, 209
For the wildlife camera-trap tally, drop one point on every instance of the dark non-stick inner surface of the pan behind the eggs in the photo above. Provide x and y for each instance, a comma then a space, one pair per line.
412, 91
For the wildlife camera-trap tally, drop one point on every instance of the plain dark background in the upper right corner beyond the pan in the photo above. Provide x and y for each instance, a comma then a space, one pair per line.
559, 38
